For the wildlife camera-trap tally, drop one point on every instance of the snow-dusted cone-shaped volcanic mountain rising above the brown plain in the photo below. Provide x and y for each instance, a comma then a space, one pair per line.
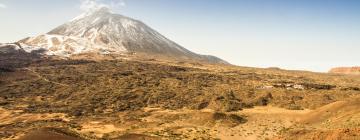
102, 32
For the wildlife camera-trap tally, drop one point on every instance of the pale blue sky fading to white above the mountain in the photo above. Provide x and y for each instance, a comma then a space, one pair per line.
313, 35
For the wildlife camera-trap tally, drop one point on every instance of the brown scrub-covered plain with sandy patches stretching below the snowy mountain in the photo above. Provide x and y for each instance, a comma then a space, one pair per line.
150, 99
